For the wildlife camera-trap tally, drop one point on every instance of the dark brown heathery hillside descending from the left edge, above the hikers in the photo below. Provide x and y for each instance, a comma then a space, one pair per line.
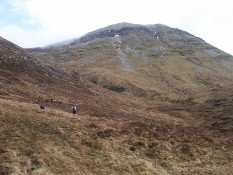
26, 77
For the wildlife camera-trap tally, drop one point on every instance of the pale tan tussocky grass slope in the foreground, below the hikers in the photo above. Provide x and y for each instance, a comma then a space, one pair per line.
34, 141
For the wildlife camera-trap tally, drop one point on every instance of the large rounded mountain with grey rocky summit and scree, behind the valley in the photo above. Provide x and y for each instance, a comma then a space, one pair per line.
153, 61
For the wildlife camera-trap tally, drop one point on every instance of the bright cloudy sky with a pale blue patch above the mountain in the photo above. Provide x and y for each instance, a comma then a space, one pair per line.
36, 23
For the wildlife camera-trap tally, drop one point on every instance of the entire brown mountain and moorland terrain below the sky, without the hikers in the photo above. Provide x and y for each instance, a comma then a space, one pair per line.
151, 100
